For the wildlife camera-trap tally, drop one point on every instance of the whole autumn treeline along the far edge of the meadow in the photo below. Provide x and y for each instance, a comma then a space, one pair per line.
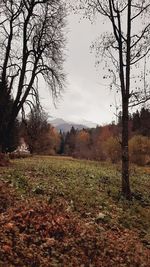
100, 143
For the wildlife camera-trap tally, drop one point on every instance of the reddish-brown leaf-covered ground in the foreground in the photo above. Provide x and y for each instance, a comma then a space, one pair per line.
36, 232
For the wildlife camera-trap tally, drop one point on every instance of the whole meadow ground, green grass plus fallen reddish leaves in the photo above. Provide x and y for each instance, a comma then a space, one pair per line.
84, 195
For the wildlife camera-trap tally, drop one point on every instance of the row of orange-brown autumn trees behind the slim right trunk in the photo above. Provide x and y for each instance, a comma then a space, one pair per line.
104, 142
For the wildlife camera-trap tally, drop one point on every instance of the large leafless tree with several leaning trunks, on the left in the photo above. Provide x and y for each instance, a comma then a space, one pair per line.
31, 45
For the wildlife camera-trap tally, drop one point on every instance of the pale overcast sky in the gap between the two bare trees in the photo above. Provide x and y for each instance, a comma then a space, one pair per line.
86, 96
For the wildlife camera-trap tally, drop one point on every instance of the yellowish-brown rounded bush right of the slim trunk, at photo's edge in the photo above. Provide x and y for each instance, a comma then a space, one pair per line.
139, 149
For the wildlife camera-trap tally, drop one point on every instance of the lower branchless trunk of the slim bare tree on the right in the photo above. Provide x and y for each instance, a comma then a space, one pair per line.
125, 152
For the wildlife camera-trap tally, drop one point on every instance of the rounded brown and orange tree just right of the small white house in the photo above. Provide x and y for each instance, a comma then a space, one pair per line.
40, 136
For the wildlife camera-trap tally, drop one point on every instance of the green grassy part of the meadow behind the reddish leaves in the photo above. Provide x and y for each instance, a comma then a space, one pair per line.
89, 188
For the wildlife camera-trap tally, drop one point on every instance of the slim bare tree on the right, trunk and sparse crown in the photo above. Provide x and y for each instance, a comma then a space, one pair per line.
128, 46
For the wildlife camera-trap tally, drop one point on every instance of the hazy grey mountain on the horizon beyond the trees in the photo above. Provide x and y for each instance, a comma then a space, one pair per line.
65, 126
